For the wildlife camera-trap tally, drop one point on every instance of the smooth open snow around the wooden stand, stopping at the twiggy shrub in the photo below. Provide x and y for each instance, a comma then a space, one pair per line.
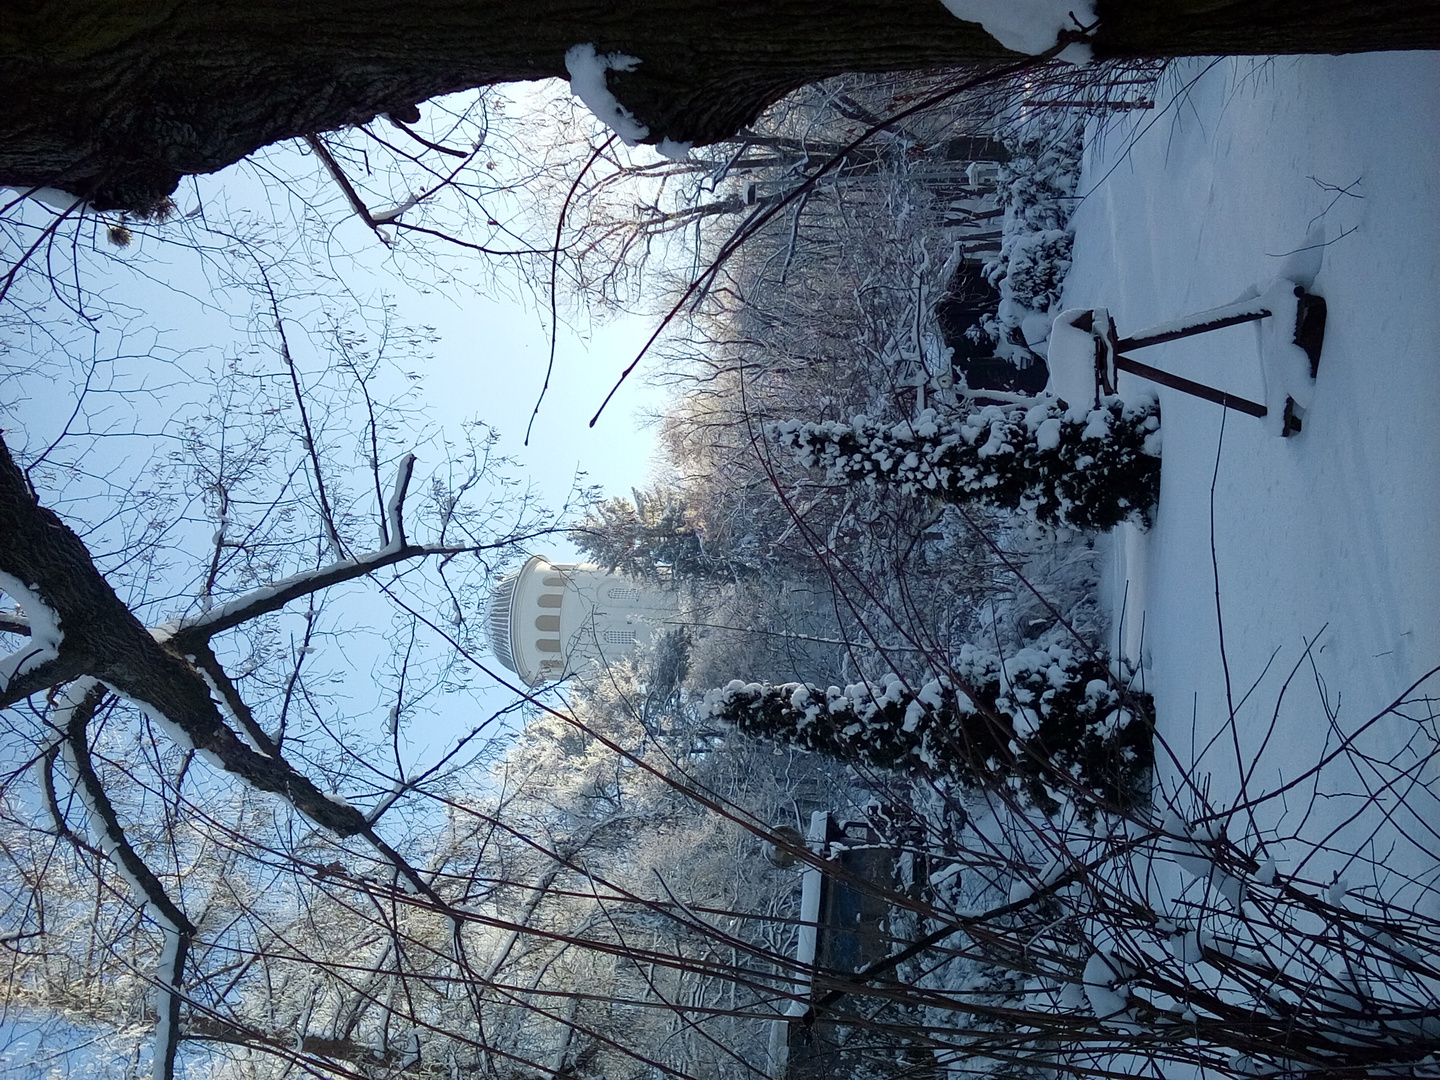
1330, 538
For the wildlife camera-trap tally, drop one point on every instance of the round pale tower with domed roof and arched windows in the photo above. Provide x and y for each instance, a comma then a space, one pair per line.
549, 621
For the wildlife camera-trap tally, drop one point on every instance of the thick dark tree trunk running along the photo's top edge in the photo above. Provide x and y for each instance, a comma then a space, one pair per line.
117, 100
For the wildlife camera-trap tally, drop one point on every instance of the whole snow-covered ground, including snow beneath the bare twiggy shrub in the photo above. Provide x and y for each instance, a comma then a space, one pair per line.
1291, 809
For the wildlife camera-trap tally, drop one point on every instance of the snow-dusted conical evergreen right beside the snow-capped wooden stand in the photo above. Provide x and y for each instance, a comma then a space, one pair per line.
1068, 469
